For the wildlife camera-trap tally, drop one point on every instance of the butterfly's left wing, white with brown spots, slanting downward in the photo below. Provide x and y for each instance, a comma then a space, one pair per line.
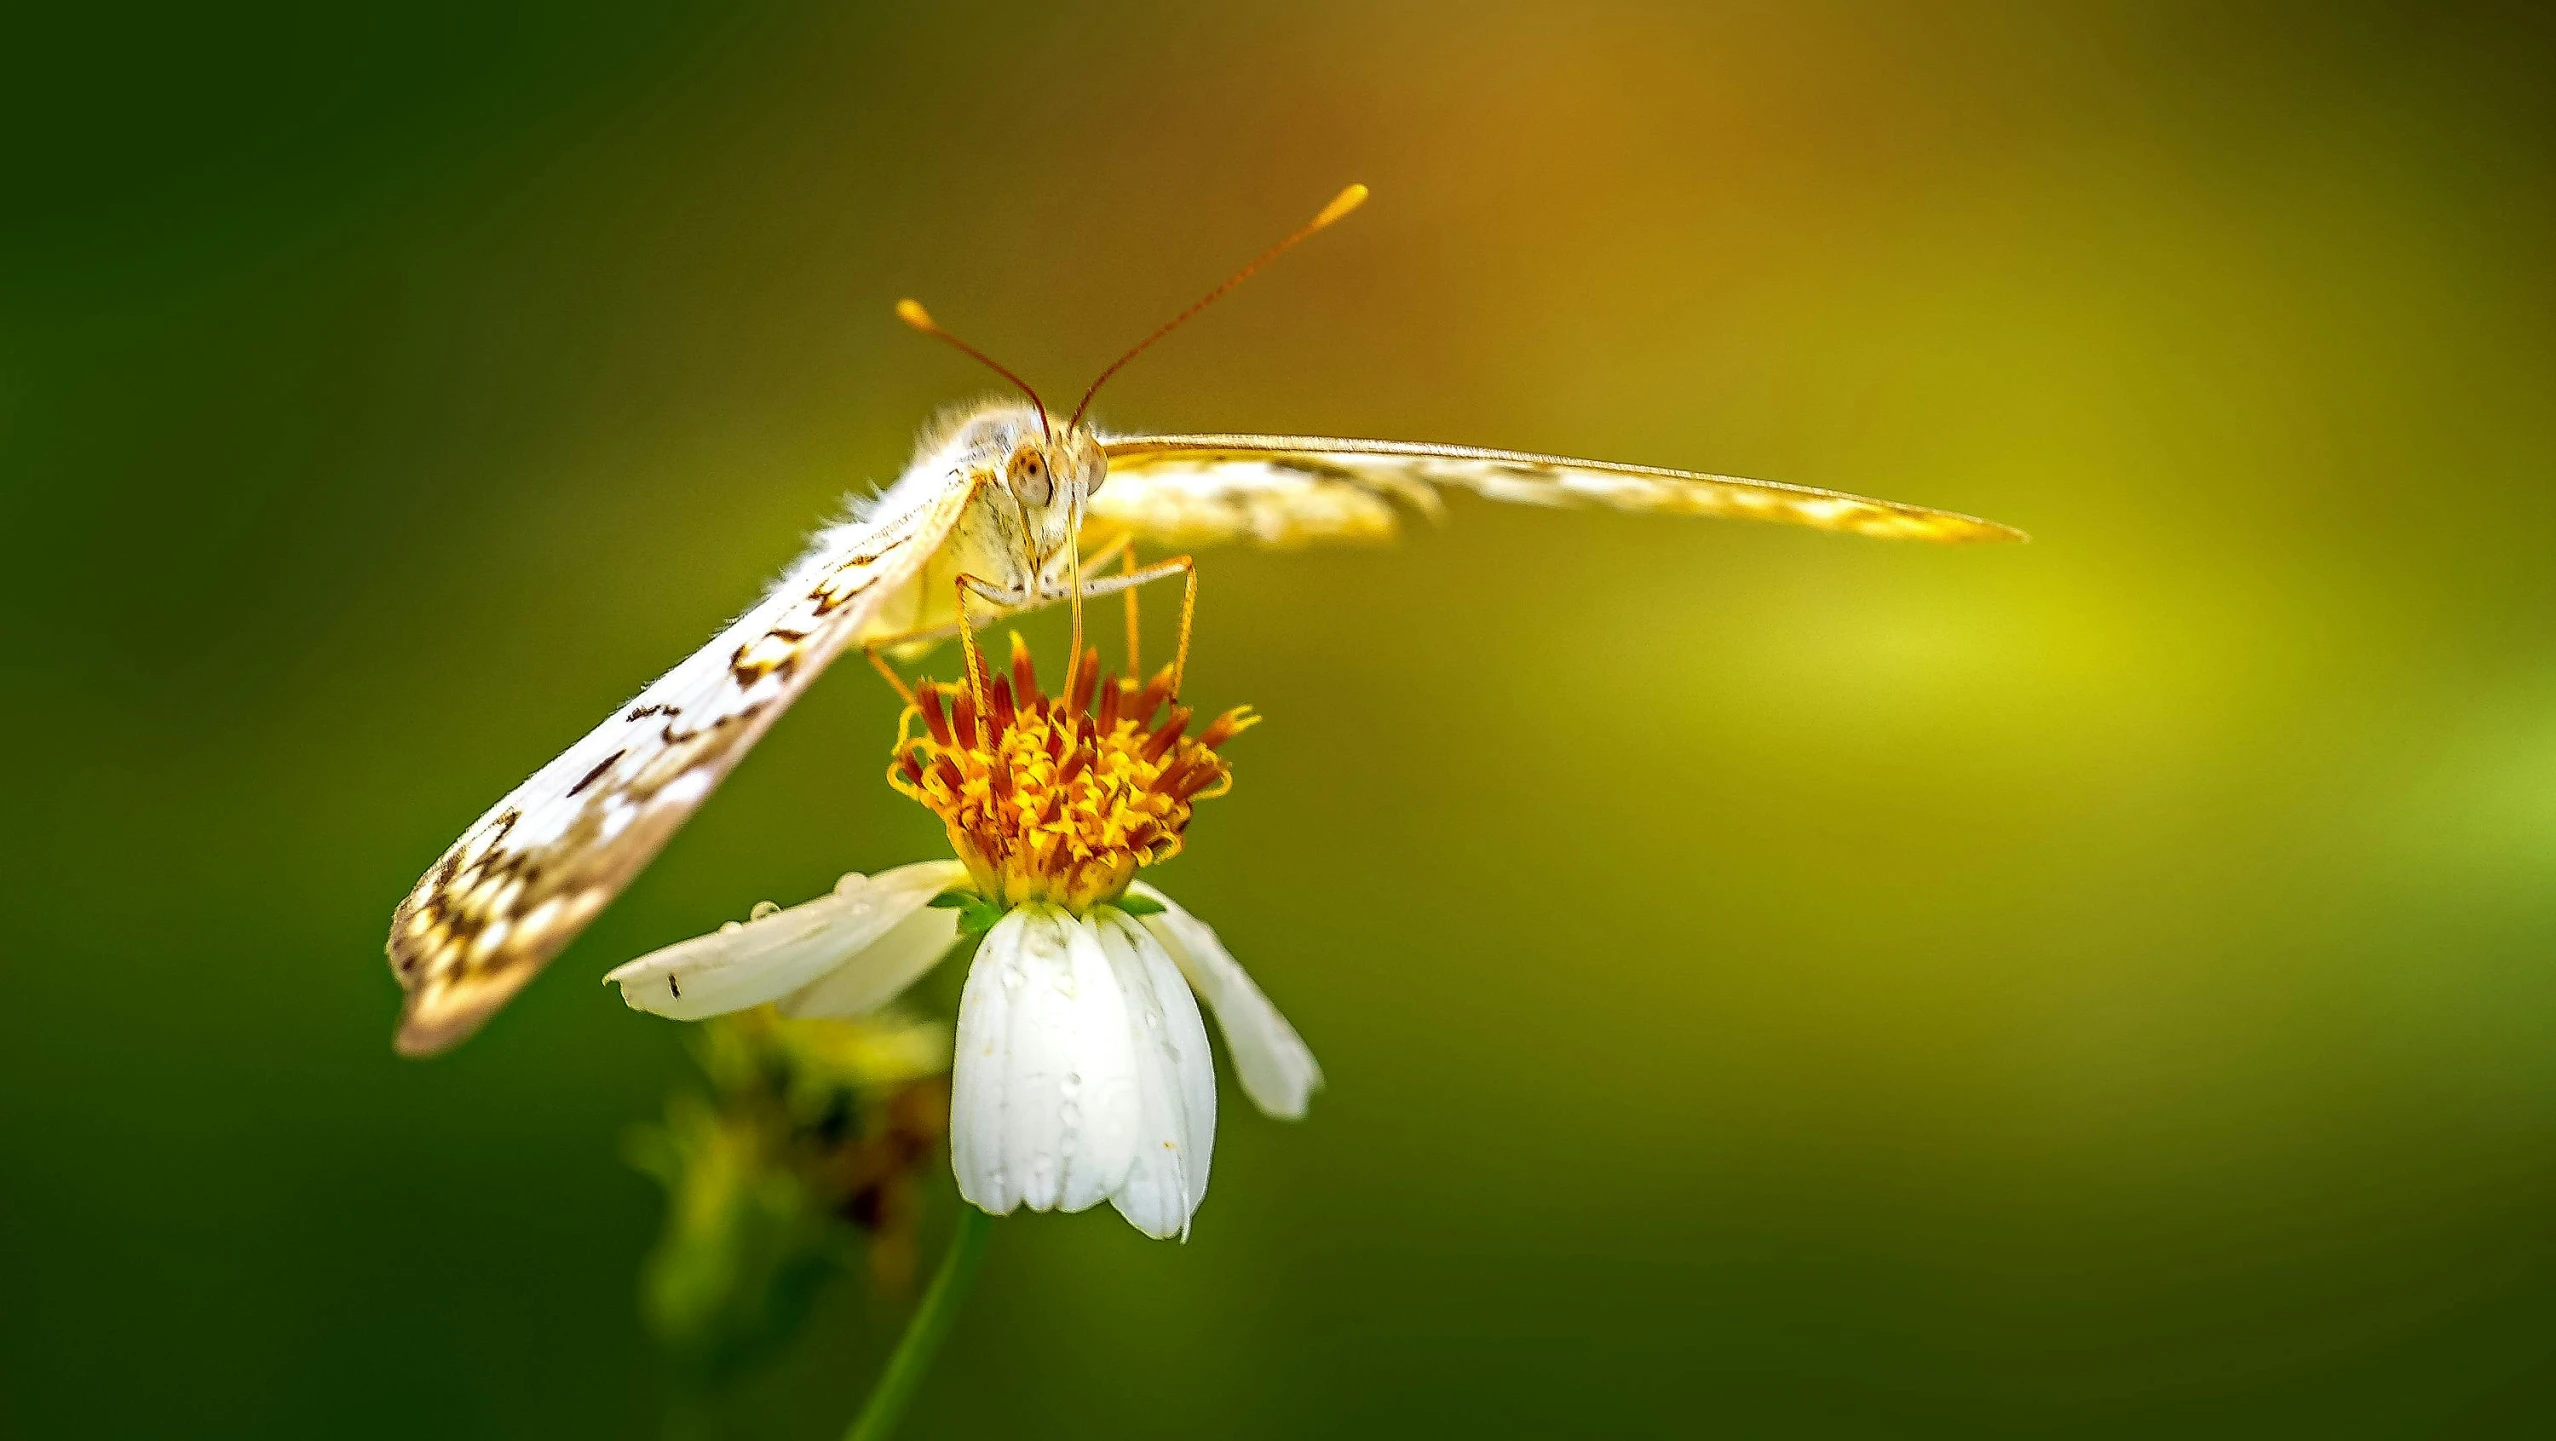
525, 880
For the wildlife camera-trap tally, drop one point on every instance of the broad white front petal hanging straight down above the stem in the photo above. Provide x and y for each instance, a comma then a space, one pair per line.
1044, 1090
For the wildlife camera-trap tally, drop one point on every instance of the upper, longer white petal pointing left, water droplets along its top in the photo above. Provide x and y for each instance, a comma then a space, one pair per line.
783, 952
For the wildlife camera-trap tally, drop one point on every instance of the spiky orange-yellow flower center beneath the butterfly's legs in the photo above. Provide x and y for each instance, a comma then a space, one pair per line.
1059, 798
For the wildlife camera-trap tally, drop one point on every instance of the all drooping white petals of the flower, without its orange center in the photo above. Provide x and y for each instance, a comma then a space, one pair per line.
1082, 1064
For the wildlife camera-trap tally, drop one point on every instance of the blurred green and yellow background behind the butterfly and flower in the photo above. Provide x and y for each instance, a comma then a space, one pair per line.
1773, 985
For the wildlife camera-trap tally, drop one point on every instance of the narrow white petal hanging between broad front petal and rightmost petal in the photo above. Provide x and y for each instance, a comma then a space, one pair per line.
1177, 1082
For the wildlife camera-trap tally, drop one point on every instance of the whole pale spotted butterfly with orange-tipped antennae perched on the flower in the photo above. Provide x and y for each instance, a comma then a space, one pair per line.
1013, 510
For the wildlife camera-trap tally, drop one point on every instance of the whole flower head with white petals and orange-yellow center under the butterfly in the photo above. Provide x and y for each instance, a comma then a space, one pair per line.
1082, 1067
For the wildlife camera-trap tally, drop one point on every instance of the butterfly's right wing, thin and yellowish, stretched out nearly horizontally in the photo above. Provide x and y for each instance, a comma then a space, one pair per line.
1302, 489
